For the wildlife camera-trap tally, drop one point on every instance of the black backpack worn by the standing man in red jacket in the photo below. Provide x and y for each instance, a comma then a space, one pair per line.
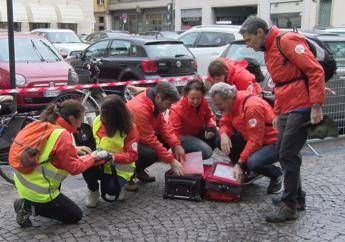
321, 52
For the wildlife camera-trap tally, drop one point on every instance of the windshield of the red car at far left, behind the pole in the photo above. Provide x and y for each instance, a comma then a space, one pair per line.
29, 50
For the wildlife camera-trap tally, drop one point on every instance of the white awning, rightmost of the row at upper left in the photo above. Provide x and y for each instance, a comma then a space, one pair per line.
68, 13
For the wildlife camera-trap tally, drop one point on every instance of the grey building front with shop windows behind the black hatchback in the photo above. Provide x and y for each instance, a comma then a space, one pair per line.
138, 16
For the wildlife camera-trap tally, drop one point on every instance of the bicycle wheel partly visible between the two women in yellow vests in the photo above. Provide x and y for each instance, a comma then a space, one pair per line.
90, 104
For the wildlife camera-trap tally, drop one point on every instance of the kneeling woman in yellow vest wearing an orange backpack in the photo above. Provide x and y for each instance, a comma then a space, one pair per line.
43, 155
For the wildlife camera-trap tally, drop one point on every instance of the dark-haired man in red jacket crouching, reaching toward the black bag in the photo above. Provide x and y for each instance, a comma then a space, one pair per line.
156, 136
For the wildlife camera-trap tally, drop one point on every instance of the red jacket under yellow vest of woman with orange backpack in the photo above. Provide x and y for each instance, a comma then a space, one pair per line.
65, 153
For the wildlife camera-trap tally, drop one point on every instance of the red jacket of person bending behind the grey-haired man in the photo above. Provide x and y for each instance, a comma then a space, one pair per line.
239, 76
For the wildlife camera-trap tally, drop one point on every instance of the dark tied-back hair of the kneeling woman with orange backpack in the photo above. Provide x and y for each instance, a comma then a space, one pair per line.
65, 109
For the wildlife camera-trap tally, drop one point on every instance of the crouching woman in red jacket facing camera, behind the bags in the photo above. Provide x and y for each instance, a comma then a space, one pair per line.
193, 121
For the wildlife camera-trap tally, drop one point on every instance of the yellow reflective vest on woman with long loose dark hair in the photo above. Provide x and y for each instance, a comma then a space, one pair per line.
113, 145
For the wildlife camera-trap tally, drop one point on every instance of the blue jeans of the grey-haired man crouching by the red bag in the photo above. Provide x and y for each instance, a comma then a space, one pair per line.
261, 162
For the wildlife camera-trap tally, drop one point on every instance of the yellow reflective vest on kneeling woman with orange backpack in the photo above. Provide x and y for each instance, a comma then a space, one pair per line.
42, 185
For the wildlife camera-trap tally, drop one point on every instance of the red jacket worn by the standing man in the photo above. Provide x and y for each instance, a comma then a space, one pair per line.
300, 60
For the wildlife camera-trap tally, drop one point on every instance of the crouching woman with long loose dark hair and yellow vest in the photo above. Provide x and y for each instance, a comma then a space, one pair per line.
115, 133
